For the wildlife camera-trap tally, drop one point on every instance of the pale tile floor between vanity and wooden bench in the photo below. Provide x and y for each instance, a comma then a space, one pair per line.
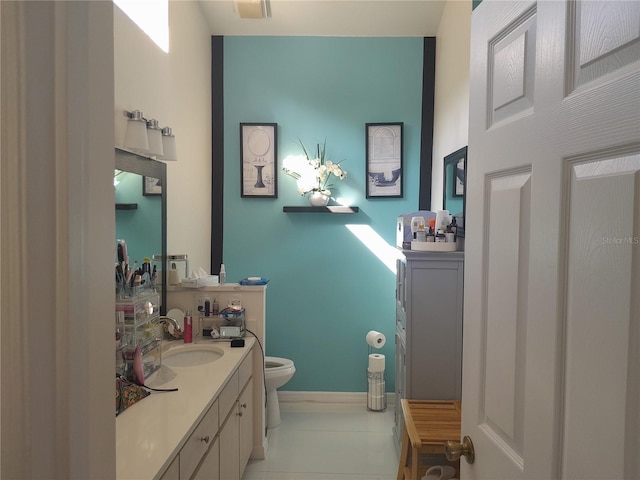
328, 442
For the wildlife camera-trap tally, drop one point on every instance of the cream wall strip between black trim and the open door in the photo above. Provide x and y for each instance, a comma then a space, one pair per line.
451, 122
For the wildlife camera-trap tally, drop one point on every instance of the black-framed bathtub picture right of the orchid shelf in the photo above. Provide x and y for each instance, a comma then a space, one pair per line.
384, 160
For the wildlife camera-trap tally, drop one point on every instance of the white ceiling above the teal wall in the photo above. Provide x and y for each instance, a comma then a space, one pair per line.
352, 18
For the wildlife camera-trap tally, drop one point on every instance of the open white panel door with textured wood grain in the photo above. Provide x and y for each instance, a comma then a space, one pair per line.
551, 369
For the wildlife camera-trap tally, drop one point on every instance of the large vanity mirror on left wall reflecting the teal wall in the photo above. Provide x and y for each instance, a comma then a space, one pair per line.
141, 210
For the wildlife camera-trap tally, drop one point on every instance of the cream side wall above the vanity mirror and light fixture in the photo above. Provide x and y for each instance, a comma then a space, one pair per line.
174, 88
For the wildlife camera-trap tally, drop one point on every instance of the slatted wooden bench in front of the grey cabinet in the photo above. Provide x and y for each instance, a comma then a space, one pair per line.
427, 425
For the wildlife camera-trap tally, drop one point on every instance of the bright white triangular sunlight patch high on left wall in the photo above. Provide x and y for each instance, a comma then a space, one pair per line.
152, 16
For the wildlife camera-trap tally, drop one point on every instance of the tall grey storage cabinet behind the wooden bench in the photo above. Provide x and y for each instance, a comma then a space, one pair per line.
429, 302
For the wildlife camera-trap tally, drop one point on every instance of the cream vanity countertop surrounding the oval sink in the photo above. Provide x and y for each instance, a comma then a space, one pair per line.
151, 432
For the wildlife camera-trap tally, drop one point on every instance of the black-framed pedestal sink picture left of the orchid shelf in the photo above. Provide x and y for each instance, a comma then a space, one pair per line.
258, 160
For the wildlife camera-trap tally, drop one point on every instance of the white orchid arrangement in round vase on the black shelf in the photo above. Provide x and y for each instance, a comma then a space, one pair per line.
313, 174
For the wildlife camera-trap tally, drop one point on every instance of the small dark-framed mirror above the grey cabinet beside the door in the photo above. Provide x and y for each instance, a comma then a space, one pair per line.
454, 187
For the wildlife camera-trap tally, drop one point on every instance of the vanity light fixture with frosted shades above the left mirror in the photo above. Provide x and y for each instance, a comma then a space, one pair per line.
145, 137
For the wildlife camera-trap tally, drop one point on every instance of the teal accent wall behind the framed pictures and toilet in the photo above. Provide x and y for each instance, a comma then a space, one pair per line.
327, 289
